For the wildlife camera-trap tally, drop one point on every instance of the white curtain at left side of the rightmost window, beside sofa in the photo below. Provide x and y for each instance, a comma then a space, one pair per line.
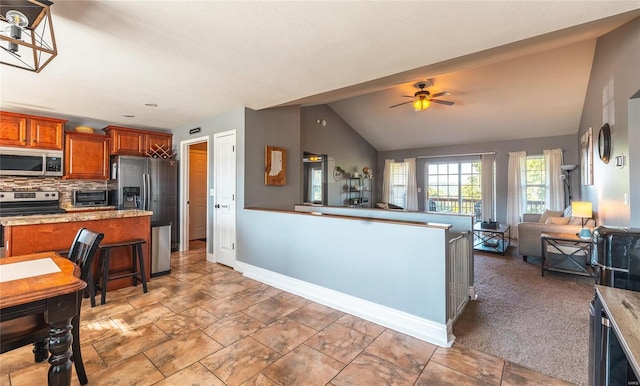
516, 198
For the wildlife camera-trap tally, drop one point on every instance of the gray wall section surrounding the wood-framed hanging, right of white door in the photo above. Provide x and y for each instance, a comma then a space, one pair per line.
272, 127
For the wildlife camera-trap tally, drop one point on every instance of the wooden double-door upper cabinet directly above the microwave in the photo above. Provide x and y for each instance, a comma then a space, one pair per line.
29, 131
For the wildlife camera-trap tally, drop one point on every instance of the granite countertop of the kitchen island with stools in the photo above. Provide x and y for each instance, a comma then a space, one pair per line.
71, 217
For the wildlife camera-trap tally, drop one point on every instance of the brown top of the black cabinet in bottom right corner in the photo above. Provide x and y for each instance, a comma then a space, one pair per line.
623, 308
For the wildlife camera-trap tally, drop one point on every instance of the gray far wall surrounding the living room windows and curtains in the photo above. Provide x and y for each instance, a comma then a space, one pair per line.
531, 146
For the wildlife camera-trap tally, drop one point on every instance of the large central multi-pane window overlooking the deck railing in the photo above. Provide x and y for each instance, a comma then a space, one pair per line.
454, 187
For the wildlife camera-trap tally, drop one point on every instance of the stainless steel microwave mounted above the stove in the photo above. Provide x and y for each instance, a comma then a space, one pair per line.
30, 162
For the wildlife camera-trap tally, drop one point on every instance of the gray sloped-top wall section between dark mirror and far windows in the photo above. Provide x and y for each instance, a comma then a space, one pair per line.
343, 146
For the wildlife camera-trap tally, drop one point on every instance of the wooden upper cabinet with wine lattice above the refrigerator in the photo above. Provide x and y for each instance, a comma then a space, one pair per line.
128, 141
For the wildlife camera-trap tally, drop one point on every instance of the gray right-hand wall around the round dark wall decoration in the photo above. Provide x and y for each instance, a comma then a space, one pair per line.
617, 57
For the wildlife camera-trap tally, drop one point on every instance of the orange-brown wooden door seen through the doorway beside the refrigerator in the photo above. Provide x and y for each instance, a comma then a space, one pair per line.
197, 193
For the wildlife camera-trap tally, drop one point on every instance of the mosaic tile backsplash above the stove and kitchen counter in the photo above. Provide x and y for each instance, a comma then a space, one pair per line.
64, 187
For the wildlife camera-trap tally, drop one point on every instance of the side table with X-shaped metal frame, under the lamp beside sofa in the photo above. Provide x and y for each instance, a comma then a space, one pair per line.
572, 248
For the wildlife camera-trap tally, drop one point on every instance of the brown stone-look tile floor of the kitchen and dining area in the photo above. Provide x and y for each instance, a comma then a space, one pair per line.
205, 324
